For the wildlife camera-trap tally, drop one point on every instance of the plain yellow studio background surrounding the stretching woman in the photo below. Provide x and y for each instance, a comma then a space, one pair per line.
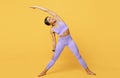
25, 42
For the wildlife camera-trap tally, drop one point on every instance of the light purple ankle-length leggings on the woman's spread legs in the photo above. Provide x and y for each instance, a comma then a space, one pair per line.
62, 42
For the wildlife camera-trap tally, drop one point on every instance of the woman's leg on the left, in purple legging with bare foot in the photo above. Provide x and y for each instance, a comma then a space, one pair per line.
59, 48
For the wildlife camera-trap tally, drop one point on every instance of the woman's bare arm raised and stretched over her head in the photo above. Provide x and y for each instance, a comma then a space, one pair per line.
48, 11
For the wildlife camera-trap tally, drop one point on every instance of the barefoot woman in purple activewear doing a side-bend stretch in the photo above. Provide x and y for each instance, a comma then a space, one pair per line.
59, 27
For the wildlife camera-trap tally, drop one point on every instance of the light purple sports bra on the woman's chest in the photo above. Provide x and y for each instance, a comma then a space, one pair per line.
61, 28
